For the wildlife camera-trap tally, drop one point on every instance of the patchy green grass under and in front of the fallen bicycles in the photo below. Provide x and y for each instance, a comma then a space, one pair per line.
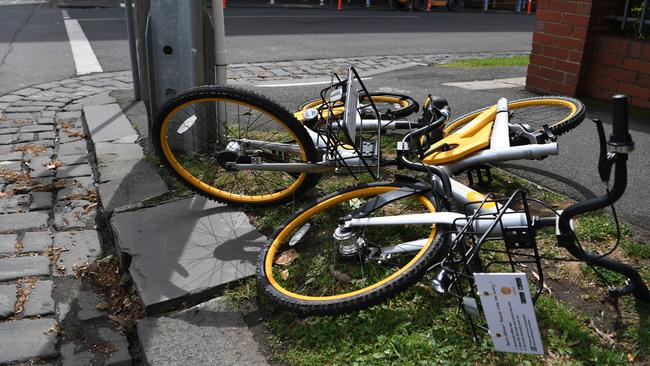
420, 328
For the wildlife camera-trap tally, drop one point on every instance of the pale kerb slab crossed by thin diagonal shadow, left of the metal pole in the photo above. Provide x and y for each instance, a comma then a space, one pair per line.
107, 122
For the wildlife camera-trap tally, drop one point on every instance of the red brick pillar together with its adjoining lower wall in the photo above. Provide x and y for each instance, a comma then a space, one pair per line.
573, 54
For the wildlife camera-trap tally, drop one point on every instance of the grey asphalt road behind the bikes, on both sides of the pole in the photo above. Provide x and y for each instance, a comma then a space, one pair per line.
34, 45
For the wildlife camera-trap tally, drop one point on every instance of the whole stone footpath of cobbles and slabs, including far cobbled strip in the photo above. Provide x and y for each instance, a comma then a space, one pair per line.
77, 188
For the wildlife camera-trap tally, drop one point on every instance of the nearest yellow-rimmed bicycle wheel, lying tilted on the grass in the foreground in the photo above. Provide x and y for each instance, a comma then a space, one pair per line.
305, 269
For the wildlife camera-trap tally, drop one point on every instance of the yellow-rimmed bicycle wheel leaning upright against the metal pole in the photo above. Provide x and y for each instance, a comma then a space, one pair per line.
201, 131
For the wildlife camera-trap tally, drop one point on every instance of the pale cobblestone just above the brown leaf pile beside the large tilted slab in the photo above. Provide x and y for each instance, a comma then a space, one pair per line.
83, 247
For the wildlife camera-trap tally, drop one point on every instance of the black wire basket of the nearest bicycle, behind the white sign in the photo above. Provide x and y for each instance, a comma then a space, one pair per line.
500, 249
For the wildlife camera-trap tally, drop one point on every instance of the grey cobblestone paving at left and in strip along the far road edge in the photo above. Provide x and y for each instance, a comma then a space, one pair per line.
50, 214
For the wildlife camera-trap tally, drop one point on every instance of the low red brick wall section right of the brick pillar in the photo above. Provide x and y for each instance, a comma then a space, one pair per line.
620, 65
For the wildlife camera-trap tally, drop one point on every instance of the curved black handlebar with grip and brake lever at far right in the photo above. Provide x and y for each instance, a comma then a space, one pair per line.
619, 145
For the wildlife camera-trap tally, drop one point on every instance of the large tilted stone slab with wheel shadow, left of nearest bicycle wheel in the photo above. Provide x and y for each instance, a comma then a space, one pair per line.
184, 251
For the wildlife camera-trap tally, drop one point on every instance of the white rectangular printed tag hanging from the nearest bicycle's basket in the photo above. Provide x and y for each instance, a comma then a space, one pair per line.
509, 312
